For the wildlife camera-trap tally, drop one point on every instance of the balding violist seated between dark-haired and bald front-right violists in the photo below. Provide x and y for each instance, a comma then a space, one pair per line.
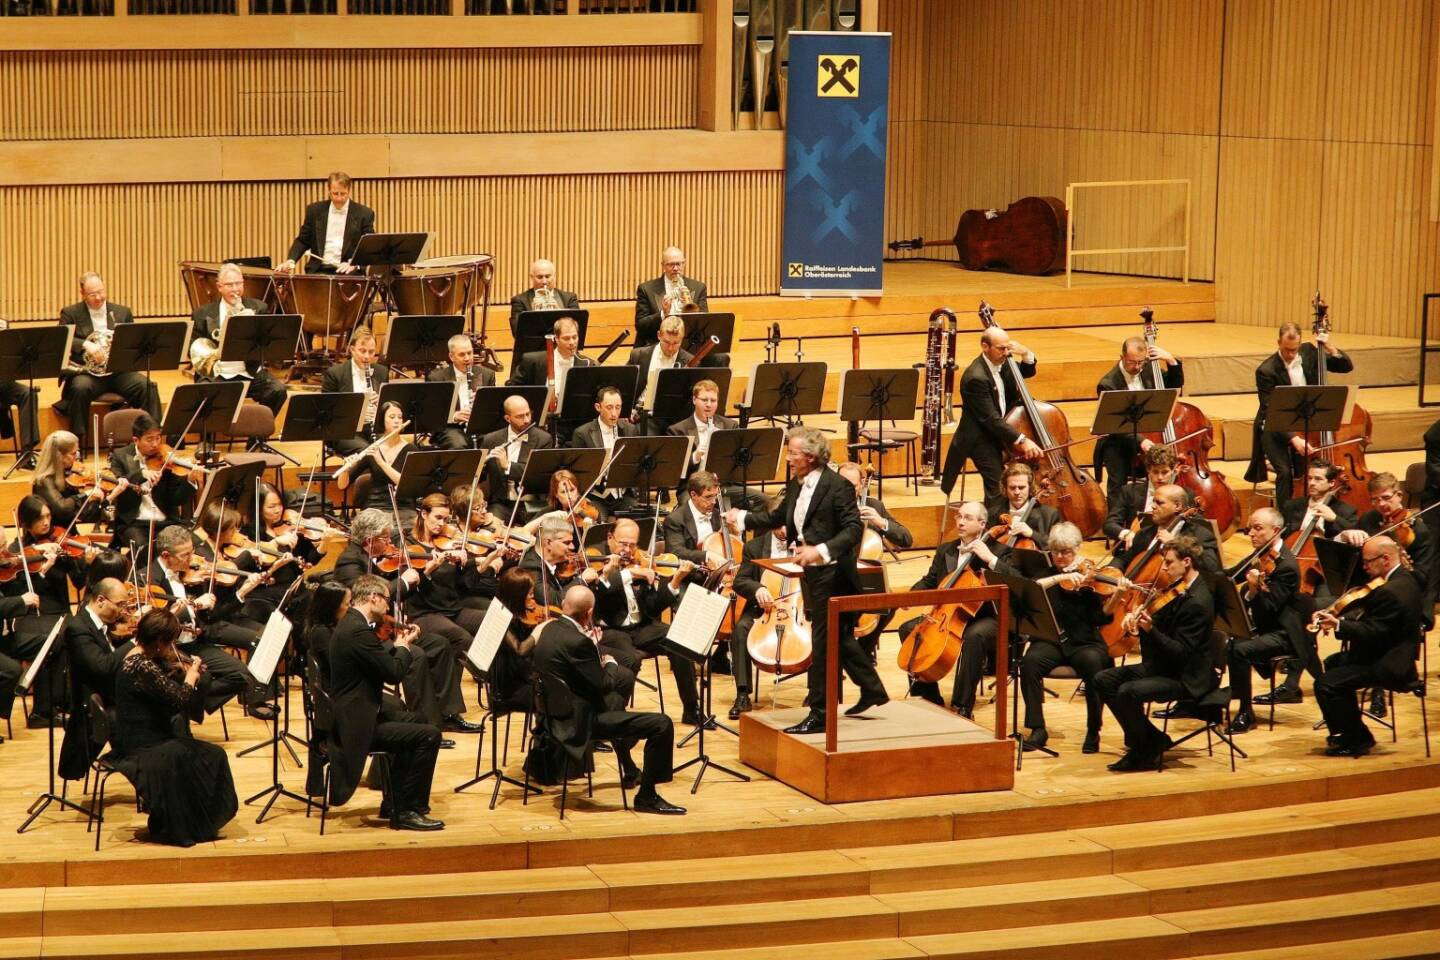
1272, 584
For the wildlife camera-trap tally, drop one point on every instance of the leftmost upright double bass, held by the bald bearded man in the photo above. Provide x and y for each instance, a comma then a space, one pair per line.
1074, 492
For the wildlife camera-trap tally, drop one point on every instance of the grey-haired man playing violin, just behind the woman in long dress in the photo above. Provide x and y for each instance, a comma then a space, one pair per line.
181, 584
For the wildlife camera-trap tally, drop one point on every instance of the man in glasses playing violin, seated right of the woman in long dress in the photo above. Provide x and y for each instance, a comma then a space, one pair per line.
362, 722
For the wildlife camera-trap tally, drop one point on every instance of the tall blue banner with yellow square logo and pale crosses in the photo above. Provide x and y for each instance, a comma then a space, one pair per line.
837, 113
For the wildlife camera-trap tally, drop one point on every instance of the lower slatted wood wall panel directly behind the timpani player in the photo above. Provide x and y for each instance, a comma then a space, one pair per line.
604, 232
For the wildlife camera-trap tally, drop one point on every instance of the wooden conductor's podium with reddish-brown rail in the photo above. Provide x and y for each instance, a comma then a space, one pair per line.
904, 749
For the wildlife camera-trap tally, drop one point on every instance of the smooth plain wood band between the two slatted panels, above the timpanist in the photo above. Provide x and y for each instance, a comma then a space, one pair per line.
212, 159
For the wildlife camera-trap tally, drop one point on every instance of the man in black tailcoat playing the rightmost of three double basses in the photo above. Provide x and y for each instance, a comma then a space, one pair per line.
1291, 365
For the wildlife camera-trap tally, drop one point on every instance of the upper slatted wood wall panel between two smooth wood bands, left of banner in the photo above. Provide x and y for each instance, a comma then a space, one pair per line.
117, 94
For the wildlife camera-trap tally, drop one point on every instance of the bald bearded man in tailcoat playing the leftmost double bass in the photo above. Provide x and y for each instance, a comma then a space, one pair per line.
989, 392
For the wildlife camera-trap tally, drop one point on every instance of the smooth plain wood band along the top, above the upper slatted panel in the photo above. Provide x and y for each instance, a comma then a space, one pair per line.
345, 34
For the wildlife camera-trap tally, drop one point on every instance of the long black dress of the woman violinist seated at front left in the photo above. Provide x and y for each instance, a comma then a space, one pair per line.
185, 784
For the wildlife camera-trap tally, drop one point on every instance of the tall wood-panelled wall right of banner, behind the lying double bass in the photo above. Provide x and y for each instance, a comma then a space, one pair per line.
1304, 124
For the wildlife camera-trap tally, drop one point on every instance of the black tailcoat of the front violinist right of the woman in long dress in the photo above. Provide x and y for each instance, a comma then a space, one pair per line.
359, 670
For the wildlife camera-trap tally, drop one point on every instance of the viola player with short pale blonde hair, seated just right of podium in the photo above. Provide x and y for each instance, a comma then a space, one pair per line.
1081, 615
